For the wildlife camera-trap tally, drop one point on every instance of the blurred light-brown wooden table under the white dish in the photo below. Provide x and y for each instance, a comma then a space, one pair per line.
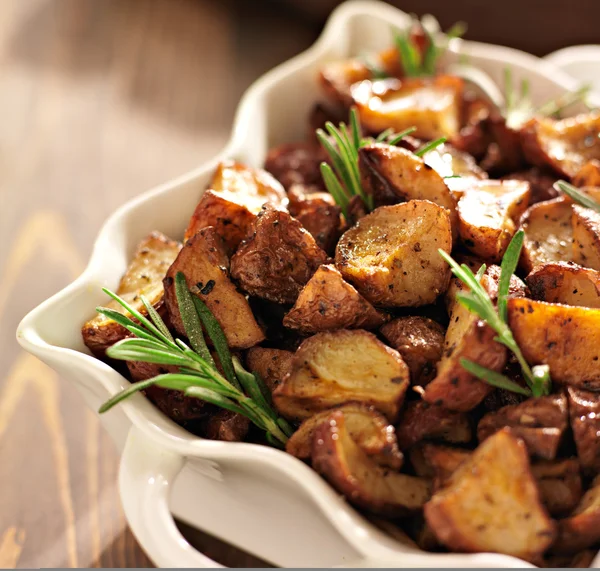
100, 100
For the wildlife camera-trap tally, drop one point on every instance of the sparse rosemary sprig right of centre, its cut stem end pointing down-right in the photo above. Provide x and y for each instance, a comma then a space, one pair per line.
479, 302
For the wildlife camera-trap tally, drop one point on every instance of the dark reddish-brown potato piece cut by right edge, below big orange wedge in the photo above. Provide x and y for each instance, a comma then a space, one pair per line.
584, 410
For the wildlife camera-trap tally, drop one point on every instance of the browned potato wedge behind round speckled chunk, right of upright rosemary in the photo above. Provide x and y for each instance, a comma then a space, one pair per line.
387, 169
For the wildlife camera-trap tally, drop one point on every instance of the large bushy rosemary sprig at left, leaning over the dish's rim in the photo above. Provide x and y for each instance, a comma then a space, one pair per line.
237, 390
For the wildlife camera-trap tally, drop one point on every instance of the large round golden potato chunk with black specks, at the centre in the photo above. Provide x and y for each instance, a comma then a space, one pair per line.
391, 255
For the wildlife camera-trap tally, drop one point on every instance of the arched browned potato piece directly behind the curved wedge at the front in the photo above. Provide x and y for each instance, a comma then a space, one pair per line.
368, 428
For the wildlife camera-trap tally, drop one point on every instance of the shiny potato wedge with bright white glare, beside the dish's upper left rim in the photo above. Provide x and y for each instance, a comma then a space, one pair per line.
236, 195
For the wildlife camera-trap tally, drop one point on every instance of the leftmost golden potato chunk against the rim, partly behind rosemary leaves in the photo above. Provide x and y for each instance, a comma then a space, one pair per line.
144, 276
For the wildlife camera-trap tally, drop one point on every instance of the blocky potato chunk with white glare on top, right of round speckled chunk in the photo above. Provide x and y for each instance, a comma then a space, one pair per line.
487, 213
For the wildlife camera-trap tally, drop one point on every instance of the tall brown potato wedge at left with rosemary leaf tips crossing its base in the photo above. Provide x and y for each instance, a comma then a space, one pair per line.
203, 261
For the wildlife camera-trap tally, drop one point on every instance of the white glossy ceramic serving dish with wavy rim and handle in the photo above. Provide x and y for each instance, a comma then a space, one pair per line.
259, 499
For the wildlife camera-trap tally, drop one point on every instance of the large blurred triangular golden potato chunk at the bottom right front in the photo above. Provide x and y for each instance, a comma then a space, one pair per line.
491, 503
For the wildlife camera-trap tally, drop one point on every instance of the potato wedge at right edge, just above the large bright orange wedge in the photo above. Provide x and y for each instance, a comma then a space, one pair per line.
566, 283
